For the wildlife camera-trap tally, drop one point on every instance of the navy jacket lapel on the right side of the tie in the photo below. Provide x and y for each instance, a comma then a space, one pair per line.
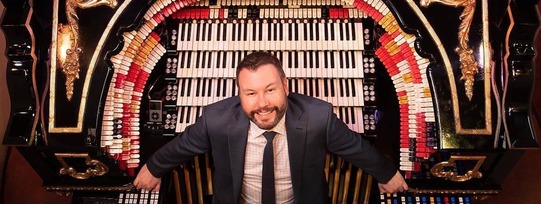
296, 140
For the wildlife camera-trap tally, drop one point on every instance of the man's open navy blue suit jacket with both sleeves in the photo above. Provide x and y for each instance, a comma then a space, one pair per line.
312, 129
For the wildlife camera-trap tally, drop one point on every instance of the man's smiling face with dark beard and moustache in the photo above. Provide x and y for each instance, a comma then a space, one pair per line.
263, 95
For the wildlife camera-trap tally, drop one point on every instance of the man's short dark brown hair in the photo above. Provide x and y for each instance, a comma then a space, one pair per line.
257, 59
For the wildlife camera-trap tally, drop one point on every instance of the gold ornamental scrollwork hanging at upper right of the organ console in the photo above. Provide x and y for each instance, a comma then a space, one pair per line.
468, 65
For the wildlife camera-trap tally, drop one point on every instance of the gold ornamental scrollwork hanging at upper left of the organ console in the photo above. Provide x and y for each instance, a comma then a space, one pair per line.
69, 48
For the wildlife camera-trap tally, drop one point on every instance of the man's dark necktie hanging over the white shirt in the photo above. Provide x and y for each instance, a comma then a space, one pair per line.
268, 195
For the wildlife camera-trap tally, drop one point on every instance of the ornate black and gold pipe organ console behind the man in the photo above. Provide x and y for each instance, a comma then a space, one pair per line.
442, 87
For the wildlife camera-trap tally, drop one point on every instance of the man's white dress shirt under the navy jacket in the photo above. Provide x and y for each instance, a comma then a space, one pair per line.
253, 165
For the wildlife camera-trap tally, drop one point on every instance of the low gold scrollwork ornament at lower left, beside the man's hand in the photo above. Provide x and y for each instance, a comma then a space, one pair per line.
95, 167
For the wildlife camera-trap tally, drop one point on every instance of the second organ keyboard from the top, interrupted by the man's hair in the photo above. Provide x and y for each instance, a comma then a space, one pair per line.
296, 64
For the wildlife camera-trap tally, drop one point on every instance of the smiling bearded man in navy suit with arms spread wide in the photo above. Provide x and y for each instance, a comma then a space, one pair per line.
306, 128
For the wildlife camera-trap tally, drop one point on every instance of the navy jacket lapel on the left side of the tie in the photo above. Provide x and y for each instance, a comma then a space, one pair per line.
237, 138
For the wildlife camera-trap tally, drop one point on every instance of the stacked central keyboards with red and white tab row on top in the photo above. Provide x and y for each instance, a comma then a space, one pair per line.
321, 50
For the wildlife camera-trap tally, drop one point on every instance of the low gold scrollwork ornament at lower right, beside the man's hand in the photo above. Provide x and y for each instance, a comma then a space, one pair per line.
447, 169
